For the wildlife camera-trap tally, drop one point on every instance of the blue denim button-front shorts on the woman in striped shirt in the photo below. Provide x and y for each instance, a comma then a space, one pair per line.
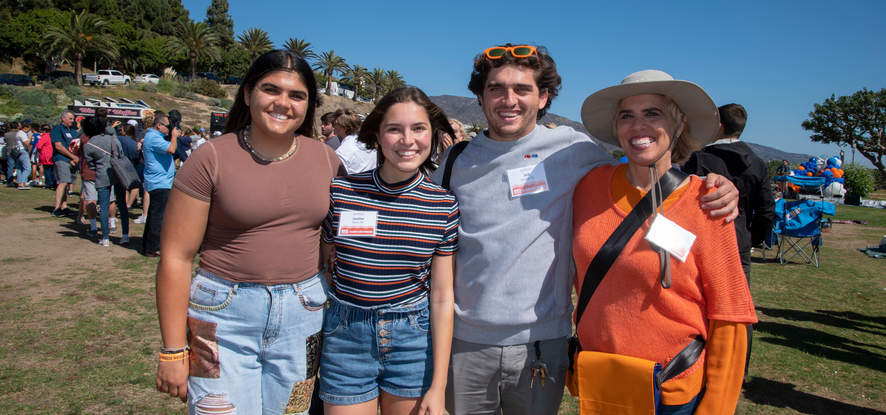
365, 350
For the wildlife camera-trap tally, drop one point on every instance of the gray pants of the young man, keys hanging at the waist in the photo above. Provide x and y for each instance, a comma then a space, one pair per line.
497, 379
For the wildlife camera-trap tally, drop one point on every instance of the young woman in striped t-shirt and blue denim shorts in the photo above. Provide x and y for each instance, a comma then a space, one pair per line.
390, 239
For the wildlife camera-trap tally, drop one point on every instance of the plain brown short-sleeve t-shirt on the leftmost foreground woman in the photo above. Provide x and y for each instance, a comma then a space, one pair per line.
264, 218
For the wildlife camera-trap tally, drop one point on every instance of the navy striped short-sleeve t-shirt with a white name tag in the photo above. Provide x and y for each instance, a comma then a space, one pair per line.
416, 220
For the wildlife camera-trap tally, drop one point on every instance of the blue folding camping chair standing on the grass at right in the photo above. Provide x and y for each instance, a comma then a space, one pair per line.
798, 229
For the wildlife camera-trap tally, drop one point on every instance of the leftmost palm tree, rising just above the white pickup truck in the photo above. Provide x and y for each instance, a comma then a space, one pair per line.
83, 33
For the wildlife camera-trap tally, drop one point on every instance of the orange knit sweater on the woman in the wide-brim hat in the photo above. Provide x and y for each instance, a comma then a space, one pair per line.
631, 314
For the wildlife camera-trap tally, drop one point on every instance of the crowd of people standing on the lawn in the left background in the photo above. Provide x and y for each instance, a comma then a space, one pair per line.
54, 157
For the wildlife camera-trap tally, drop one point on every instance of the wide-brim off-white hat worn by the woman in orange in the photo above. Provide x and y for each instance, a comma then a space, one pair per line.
598, 110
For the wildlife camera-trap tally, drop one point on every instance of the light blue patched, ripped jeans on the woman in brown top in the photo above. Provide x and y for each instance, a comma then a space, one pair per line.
255, 348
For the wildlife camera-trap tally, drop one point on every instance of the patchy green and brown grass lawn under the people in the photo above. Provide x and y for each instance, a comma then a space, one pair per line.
81, 336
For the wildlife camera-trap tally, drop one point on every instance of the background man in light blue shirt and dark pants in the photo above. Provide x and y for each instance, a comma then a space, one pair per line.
158, 147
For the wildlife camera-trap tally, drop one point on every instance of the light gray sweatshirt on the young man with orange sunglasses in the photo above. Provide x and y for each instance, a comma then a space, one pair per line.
514, 267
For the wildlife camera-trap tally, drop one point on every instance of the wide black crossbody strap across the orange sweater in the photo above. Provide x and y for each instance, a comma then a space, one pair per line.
615, 244
